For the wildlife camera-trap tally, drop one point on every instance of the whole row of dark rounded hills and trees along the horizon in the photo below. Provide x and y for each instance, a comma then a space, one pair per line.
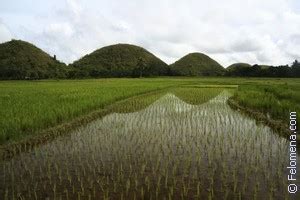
22, 60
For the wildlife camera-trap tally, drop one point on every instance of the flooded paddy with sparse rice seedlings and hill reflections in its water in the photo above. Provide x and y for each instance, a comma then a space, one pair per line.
183, 143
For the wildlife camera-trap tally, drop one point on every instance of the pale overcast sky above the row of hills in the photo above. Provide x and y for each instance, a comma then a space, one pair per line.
229, 31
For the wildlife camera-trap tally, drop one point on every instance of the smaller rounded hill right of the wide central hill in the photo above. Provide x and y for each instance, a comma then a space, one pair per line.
197, 64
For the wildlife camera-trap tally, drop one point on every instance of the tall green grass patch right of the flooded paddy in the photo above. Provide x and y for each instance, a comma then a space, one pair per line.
277, 101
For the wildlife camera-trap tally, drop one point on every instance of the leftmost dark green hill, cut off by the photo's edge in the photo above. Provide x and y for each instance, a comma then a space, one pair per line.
23, 60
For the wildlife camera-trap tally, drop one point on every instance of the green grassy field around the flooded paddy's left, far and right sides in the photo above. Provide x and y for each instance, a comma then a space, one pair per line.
27, 107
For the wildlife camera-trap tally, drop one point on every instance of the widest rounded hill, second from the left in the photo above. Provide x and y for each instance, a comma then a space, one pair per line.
120, 60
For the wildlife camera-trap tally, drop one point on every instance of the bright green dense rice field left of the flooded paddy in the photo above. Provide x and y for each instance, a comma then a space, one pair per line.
28, 107
